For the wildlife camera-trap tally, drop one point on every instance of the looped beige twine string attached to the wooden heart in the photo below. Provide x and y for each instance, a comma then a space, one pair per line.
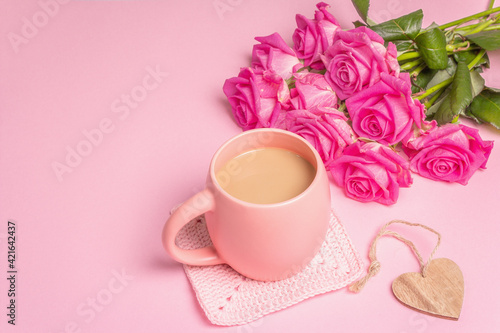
374, 267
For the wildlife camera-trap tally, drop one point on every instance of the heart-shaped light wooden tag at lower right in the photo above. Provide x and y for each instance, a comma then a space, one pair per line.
440, 293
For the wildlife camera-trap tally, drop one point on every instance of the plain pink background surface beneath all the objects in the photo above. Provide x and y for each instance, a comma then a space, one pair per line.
104, 218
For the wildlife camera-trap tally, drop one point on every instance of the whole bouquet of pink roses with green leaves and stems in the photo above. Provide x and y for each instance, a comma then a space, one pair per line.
356, 95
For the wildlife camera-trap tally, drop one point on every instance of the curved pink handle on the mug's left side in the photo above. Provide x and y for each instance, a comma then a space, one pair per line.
195, 206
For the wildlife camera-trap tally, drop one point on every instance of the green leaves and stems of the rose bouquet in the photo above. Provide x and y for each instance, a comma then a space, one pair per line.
445, 61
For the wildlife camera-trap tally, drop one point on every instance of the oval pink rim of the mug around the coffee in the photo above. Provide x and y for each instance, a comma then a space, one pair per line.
319, 164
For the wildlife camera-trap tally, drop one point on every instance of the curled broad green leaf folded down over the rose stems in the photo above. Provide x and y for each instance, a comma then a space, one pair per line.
432, 46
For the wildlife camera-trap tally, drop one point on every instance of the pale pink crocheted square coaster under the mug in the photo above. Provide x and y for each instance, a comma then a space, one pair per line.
228, 298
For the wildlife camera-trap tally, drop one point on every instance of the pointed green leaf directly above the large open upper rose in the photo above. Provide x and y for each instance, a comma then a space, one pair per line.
405, 27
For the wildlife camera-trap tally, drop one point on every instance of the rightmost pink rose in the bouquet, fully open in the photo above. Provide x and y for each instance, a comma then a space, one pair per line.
451, 153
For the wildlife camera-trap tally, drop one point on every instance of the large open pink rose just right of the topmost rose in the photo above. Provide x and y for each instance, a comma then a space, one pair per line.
356, 59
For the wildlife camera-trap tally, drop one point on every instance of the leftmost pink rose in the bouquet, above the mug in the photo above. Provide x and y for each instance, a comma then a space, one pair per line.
257, 97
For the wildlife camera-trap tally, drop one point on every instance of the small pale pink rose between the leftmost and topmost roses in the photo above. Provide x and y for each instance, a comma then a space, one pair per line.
274, 54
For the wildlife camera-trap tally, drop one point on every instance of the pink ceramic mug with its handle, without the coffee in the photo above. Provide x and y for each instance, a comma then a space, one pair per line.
261, 241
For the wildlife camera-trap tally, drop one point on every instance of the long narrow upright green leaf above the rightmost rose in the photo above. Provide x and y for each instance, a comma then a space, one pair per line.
459, 98
